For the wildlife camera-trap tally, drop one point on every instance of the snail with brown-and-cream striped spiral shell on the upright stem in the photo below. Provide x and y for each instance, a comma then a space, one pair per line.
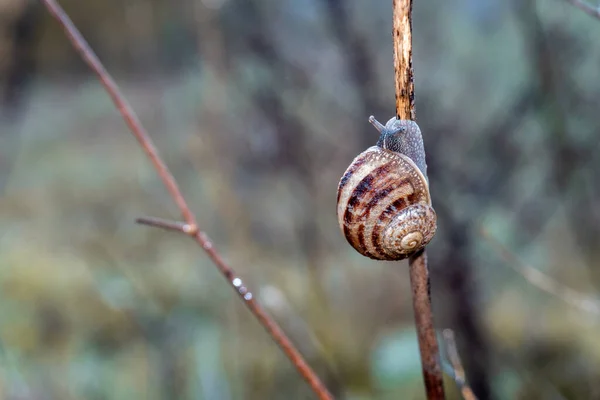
383, 201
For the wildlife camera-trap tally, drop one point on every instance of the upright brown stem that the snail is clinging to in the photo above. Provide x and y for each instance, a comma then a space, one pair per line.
419, 272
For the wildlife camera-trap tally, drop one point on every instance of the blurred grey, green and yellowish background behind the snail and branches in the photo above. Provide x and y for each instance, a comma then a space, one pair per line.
258, 106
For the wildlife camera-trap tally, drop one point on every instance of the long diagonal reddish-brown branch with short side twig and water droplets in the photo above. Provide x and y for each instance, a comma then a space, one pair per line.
200, 237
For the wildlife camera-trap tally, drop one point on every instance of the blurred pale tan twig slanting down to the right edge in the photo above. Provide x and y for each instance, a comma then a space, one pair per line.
542, 281
